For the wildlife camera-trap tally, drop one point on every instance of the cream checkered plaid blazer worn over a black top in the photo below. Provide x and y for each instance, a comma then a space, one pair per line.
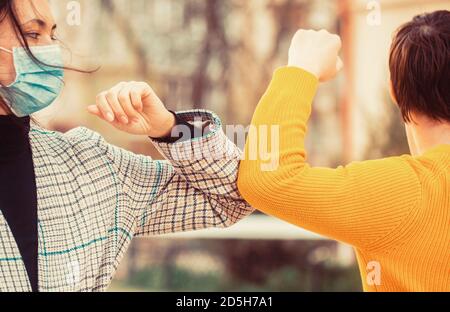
93, 198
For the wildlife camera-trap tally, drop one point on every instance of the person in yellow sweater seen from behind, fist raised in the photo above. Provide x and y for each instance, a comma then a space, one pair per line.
395, 212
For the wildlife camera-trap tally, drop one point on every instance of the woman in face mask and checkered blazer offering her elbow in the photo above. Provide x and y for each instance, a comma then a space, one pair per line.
71, 203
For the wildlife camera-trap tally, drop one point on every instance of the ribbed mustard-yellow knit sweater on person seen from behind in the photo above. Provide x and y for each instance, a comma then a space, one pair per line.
395, 212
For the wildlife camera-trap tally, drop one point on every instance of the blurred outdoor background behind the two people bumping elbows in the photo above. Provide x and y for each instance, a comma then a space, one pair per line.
220, 55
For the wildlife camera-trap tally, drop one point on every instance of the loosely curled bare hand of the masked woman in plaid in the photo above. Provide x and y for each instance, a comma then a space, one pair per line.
135, 108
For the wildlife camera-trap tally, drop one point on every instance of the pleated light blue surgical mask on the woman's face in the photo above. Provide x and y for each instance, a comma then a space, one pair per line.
37, 85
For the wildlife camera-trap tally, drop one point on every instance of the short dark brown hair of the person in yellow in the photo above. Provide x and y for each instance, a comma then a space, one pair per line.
420, 66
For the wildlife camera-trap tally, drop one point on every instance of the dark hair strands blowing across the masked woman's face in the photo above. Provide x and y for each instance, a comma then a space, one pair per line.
7, 9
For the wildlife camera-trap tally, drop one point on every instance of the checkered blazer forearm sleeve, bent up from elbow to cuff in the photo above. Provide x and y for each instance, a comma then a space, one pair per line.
200, 183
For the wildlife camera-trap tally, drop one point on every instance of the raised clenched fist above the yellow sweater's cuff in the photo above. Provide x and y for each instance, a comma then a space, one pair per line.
316, 52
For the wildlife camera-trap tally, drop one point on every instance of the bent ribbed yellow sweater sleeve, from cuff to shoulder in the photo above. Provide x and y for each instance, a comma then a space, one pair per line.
362, 204
